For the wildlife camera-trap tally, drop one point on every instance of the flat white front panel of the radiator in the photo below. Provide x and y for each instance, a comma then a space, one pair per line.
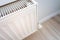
19, 25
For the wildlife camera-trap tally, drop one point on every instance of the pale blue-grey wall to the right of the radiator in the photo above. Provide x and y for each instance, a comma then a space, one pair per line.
46, 7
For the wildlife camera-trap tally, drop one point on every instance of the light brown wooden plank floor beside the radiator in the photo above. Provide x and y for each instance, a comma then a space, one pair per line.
49, 31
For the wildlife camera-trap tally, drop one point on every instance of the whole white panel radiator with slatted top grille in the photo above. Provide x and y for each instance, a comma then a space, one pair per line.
18, 20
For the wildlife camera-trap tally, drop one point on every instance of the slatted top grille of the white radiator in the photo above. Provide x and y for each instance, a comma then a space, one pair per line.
13, 7
